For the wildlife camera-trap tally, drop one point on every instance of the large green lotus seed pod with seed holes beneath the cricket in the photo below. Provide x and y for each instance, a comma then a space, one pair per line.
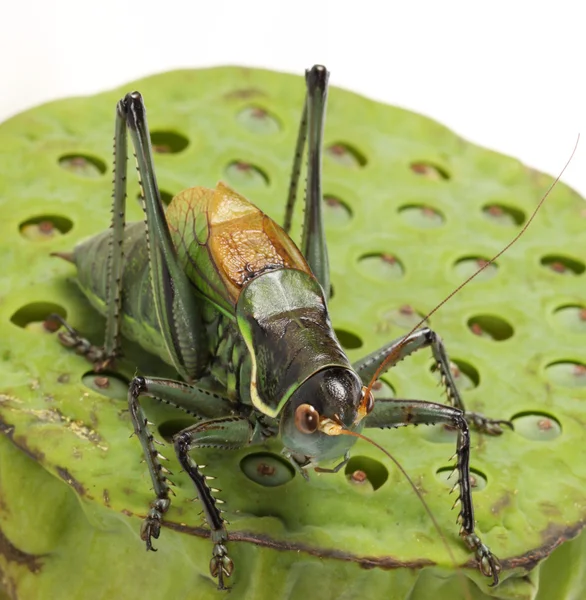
411, 209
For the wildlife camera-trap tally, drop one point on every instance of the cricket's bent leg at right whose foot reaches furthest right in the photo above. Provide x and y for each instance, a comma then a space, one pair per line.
422, 338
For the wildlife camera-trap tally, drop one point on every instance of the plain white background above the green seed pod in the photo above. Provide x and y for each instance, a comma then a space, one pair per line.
508, 75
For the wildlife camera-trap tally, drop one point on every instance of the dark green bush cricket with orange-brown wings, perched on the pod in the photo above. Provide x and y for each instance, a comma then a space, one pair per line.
218, 290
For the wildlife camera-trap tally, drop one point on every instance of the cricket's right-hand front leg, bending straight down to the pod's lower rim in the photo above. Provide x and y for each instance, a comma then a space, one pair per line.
397, 413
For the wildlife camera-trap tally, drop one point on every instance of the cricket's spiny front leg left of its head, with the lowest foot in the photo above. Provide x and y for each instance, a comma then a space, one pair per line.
228, 433
